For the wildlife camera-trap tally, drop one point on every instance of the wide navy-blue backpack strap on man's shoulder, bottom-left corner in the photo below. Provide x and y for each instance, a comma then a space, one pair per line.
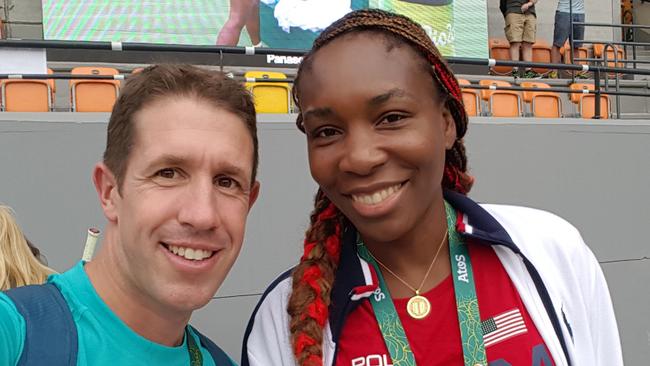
50, 331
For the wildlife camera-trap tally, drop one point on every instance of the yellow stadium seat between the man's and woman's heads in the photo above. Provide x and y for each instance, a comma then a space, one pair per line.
270, 97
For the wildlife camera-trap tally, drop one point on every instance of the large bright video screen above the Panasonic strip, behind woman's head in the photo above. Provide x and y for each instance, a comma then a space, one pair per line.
458, 27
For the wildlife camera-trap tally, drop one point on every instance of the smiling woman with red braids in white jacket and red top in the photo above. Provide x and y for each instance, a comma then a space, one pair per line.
400, 267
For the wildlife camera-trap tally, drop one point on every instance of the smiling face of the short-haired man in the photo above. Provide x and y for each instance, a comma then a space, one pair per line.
181, 211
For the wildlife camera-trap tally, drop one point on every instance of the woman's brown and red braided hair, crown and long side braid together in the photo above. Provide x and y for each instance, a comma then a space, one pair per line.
314, 276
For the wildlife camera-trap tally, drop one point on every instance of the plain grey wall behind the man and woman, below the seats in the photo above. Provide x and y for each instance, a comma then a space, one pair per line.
593, 173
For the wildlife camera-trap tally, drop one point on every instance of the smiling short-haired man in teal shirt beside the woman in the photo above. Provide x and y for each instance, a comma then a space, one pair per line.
176, 184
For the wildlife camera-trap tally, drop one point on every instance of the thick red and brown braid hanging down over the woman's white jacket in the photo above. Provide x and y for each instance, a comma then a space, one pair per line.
312, 282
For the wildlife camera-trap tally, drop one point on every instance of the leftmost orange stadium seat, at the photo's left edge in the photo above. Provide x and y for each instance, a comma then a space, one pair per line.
23, 95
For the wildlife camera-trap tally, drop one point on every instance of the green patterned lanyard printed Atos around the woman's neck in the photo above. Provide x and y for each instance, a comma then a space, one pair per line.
466, 304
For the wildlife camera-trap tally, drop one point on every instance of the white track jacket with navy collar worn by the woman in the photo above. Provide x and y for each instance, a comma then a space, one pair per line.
557, 277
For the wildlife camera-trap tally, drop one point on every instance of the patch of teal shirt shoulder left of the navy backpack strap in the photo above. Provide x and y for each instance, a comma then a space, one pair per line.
12, 331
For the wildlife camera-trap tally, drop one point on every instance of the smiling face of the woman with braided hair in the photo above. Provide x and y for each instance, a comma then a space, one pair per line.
377, 132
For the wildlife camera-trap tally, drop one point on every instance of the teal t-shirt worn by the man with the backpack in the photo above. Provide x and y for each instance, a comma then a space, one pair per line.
103, 338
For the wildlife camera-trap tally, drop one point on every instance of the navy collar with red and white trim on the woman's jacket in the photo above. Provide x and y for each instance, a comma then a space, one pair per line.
353, 282
